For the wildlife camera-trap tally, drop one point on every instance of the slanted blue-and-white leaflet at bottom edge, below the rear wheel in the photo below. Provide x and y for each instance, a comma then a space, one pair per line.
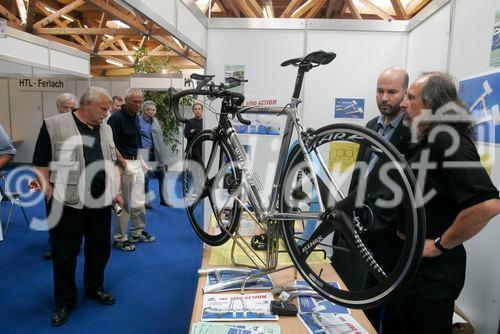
331, 323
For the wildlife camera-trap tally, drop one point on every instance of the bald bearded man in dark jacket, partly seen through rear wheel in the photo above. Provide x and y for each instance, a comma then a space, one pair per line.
380, 238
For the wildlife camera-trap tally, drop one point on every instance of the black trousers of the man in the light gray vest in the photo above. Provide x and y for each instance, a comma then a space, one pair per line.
66, 238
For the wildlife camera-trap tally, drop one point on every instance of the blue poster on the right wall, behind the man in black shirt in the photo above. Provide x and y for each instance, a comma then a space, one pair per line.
482, 95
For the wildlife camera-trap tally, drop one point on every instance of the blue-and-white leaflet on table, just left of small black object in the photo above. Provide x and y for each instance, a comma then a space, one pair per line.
228, 307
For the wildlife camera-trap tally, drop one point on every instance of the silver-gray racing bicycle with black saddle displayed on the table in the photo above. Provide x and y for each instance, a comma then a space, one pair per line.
308, 208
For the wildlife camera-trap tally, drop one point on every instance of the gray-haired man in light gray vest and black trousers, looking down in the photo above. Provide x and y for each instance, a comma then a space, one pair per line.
75, 161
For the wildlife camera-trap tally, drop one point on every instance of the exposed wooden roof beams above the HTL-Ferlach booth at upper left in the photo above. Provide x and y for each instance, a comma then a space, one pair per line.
110, 31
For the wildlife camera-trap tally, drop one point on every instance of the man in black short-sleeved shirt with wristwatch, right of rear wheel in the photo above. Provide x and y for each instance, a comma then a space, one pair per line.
462, 201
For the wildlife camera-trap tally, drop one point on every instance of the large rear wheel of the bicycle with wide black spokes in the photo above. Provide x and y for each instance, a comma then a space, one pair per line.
375, 247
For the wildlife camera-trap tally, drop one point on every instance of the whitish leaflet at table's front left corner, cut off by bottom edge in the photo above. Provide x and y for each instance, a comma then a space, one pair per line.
234, 328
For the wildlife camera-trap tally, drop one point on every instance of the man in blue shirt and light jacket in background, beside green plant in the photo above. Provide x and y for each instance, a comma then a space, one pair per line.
155, 150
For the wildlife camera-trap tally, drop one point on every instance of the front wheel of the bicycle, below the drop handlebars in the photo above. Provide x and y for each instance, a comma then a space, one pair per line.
209, 181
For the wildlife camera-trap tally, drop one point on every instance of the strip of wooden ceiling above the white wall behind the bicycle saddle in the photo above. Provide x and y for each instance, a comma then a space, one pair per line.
321, 9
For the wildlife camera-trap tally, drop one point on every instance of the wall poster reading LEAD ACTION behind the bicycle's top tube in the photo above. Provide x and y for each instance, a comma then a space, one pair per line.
261, 124
